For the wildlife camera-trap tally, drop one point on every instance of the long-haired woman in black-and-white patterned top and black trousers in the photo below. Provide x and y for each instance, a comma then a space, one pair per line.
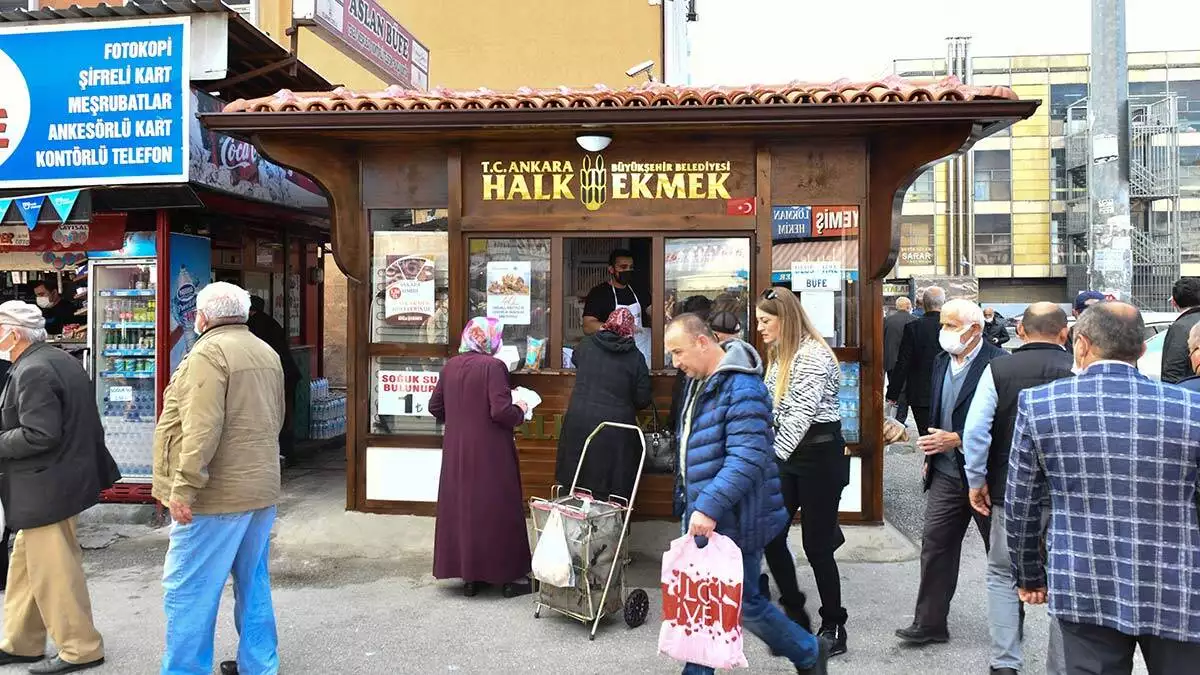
803, 378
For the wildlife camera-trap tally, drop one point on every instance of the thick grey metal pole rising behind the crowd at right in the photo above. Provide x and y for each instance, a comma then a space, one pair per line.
1111, 268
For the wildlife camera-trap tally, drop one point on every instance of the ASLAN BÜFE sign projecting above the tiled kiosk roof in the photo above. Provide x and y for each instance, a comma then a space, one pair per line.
367, 29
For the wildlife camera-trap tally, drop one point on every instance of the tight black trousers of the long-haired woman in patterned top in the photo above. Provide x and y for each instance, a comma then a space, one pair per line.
815, 491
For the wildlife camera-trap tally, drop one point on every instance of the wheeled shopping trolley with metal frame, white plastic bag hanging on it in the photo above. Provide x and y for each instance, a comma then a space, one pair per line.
596, 537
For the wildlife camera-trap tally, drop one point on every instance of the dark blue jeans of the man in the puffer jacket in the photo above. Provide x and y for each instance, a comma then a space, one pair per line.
763, 619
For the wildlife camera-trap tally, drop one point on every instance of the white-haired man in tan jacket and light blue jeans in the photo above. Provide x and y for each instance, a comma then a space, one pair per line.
217, 468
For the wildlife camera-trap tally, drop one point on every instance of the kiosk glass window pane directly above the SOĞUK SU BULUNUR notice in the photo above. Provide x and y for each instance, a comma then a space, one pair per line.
411, 277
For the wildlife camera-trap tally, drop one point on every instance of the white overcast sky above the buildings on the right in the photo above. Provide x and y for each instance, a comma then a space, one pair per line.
777, 41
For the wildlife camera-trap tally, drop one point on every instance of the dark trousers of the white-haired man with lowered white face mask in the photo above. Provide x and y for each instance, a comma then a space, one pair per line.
949, 515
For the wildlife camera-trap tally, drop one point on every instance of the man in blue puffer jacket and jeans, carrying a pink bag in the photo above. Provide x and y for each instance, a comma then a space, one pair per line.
728, 481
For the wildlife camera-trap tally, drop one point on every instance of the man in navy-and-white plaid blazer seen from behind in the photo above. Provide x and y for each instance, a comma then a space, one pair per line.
1119, 456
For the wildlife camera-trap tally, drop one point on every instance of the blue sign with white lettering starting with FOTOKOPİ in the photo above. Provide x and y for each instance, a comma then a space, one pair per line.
87, 104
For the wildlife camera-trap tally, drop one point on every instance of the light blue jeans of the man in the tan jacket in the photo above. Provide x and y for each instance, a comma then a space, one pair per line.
200, 560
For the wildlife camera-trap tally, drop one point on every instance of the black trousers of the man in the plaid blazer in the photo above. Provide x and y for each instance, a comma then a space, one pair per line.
1096, 650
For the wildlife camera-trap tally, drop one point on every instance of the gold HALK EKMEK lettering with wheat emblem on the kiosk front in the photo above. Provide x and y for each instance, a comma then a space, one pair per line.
593, 182
